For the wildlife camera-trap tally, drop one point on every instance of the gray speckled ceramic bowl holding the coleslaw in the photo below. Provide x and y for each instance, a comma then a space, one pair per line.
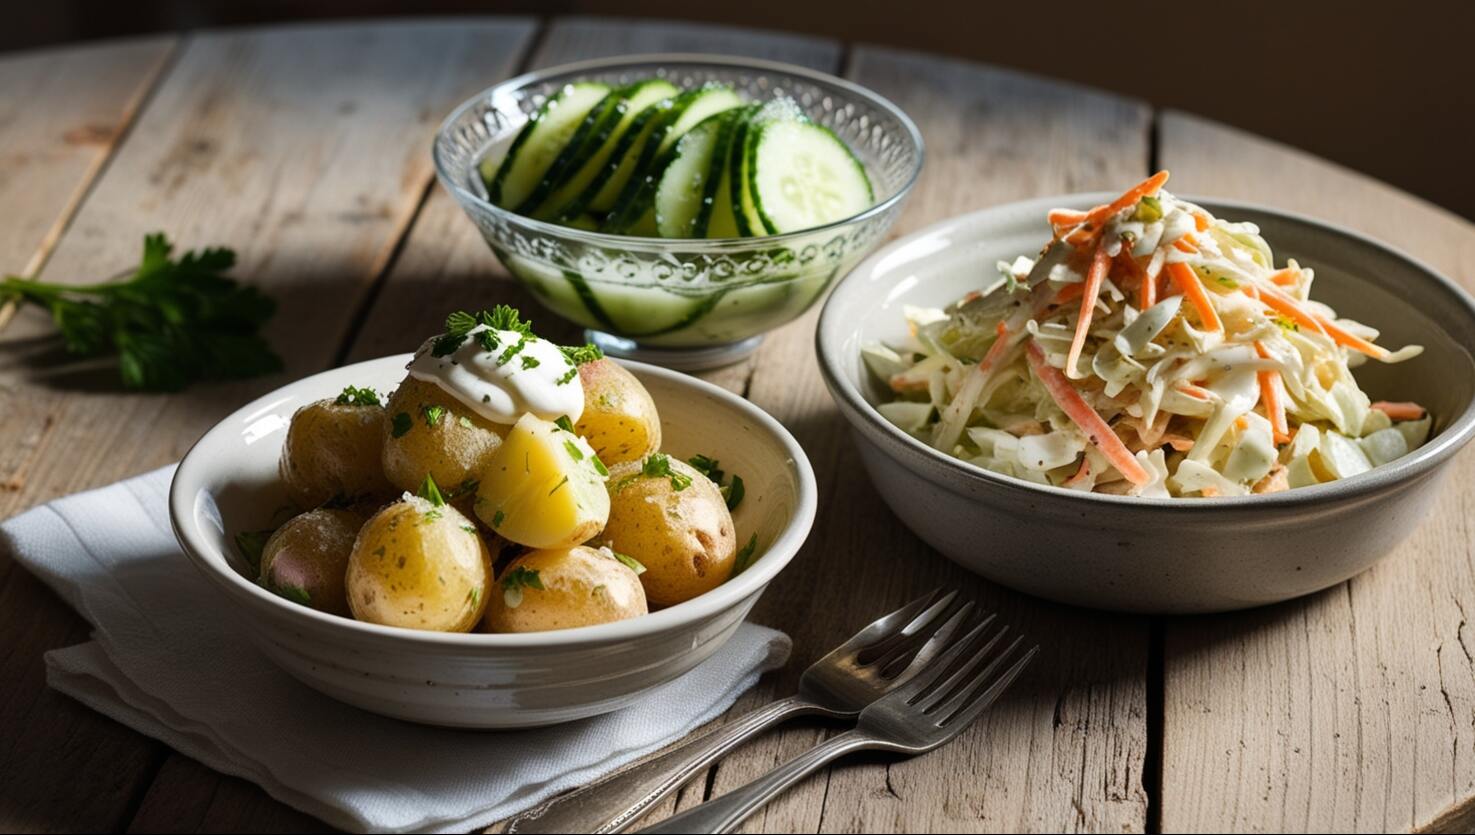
1159, 555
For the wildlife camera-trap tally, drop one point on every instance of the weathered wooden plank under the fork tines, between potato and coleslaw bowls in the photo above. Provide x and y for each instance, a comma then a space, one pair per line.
1064, 750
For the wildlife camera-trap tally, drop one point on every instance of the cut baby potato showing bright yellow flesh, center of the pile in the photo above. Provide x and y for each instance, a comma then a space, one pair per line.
545, 489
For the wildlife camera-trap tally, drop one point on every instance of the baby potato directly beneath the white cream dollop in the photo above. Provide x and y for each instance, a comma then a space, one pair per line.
430, 433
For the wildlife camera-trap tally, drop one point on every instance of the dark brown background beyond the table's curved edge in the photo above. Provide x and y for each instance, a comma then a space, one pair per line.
1387, 89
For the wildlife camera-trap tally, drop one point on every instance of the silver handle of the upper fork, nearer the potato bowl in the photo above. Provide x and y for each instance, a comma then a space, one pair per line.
614, 803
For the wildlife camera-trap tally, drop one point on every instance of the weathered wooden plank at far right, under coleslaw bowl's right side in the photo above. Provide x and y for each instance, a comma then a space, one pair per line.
1352, 710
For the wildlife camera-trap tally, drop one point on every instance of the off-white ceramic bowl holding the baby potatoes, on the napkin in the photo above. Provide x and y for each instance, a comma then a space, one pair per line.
228, 483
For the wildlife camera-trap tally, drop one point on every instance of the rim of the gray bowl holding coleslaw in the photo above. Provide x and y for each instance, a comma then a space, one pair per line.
1418, 462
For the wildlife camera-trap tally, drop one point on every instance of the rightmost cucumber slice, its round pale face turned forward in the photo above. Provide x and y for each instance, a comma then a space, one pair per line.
800, 176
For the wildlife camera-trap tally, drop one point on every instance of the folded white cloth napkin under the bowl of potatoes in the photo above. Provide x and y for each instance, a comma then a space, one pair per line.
169, 662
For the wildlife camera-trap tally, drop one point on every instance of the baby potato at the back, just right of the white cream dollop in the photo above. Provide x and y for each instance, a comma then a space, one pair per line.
620, 418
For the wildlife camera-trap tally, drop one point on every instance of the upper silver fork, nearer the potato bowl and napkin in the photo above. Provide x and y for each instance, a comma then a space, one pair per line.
875, 662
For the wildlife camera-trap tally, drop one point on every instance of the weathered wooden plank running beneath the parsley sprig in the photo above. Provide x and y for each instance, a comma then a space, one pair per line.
305, 150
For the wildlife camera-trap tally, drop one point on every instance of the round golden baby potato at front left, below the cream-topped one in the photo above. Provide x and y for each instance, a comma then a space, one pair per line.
420, 566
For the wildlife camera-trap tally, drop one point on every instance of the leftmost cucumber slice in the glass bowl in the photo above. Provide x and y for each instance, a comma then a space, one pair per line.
541, 142
